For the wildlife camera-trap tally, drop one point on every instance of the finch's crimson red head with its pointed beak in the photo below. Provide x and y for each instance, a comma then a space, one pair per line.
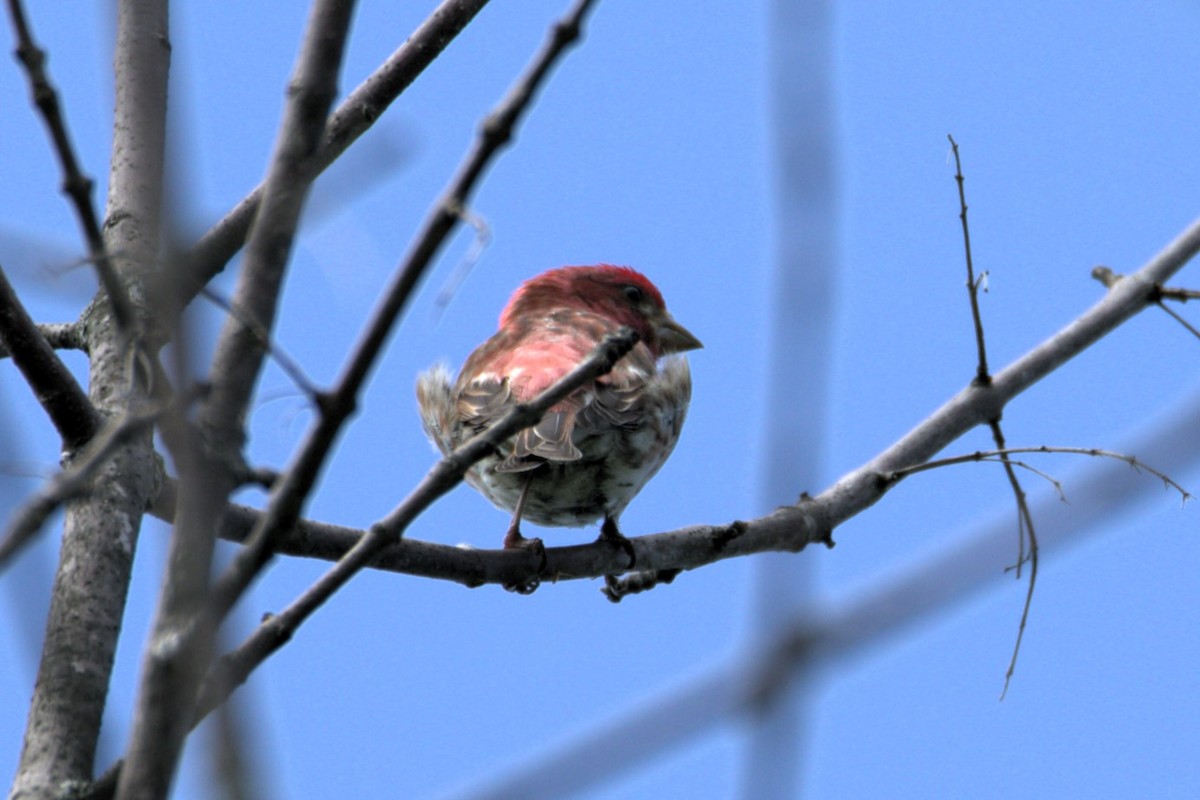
619, 293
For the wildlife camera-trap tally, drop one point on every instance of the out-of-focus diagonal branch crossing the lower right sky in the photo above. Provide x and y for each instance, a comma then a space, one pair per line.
668, 717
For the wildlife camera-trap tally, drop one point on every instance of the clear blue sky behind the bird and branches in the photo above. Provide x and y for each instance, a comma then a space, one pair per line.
652, 147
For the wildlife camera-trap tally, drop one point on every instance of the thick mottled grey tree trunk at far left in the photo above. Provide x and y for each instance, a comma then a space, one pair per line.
101, 527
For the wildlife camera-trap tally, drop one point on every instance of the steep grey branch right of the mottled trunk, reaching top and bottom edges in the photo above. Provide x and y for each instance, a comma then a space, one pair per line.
175, 663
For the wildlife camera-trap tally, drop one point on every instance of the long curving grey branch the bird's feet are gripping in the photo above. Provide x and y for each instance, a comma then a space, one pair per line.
789, 528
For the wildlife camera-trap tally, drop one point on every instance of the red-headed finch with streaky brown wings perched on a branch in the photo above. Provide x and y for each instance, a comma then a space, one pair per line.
595, 452
